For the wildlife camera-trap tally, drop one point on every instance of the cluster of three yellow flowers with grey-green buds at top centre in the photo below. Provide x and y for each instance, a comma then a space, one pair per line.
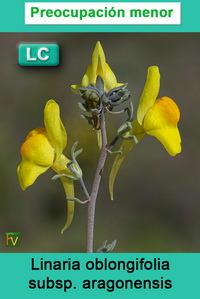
43, 147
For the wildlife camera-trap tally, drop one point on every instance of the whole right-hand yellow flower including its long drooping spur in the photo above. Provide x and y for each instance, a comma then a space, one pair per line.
158, 118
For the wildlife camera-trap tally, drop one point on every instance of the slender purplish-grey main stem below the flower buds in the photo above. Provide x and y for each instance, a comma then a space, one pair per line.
96, 185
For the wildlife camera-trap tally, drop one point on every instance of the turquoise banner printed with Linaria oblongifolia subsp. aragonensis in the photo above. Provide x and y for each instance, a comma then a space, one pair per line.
108, 276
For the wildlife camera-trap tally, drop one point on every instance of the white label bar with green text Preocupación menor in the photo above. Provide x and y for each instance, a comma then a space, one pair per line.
102, 13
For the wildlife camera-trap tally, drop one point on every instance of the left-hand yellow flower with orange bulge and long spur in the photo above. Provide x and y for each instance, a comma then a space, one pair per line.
43, 149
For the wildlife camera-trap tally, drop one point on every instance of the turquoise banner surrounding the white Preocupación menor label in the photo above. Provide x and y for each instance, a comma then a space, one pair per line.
13, 19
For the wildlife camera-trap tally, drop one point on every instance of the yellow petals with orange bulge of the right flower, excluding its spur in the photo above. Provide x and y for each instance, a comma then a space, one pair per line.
159, 118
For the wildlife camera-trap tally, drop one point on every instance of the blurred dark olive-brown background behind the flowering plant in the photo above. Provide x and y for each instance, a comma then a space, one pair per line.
157, 197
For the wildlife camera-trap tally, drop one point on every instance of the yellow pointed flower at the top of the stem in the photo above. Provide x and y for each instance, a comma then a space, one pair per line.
98, 67
